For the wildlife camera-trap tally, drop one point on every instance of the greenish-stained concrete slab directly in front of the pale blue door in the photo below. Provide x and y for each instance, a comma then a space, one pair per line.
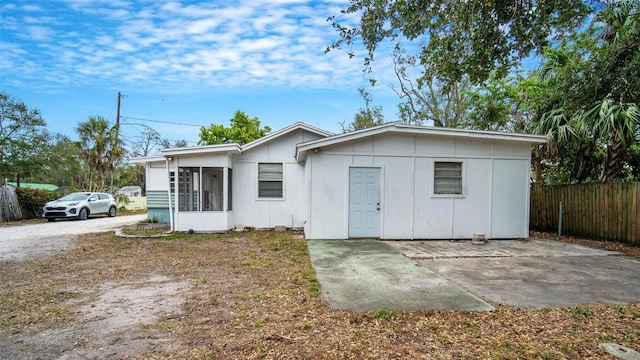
365, 275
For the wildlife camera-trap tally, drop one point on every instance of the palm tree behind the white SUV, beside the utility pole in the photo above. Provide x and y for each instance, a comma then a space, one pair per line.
100, 149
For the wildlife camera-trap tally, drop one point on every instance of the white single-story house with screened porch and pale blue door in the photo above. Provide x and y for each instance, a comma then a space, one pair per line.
392, 181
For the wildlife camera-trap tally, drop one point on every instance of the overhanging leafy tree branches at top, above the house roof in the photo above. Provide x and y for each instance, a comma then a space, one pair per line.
459, 38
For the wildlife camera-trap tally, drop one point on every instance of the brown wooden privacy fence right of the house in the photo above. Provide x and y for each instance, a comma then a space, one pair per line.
598, 211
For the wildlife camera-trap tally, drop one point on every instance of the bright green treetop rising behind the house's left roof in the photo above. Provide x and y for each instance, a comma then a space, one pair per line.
243, 130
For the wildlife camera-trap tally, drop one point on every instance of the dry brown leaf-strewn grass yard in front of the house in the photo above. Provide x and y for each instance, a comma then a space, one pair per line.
254, 295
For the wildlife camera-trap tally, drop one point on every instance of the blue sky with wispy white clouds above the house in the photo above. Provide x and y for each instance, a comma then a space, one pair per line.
183, 62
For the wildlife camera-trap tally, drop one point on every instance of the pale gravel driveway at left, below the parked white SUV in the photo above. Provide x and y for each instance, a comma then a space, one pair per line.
45, 239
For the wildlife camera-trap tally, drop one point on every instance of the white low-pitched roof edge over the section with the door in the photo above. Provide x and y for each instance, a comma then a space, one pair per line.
395, 127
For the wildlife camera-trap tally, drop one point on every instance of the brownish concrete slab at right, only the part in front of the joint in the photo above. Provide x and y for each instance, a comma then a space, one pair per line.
539, 282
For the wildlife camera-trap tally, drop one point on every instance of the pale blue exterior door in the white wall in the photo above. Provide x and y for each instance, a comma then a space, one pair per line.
364, 202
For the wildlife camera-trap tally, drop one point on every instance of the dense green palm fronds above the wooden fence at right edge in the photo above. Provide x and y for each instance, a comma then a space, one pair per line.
588, 100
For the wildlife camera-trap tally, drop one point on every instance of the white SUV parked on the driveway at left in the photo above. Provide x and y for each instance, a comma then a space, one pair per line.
79, 206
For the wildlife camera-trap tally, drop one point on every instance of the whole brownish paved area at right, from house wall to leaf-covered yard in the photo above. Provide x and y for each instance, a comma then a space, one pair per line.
536, 273
